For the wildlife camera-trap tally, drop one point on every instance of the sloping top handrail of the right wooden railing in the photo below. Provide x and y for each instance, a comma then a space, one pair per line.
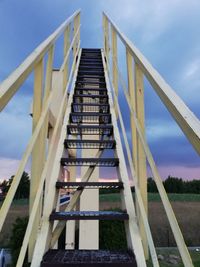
184, 117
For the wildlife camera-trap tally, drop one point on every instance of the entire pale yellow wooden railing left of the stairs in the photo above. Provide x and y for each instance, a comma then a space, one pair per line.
43, 99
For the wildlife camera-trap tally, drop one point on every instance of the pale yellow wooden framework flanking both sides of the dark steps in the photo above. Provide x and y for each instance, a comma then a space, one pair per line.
51, 106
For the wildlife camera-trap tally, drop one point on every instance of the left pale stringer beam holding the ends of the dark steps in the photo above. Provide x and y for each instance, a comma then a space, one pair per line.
45, 232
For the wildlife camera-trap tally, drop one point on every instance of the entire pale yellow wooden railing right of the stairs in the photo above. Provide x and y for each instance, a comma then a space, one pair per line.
137, 68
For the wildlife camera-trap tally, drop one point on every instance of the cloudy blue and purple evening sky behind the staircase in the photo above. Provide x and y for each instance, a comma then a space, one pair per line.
166, 32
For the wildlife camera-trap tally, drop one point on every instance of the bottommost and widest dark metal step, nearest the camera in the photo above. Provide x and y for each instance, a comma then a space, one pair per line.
88, 258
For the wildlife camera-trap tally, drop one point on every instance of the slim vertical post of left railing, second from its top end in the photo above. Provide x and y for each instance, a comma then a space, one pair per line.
66, 48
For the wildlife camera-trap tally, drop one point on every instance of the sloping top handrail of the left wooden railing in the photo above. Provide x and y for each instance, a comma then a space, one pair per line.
10, 86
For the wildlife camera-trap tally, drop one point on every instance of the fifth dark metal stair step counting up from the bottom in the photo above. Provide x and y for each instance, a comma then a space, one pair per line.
90, 144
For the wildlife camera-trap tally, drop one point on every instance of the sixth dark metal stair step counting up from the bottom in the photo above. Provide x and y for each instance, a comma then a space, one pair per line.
90, 129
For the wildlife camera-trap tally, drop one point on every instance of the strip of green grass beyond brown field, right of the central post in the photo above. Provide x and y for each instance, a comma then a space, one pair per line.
154, 197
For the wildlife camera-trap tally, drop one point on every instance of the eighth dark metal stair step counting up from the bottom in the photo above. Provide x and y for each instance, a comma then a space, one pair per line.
102, 108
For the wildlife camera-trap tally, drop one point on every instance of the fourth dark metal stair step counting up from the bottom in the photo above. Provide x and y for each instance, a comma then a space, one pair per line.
92, 162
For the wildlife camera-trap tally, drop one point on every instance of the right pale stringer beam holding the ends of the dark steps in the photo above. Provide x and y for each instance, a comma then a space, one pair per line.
132, 230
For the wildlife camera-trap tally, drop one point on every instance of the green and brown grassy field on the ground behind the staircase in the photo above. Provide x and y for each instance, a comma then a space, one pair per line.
185, 206
